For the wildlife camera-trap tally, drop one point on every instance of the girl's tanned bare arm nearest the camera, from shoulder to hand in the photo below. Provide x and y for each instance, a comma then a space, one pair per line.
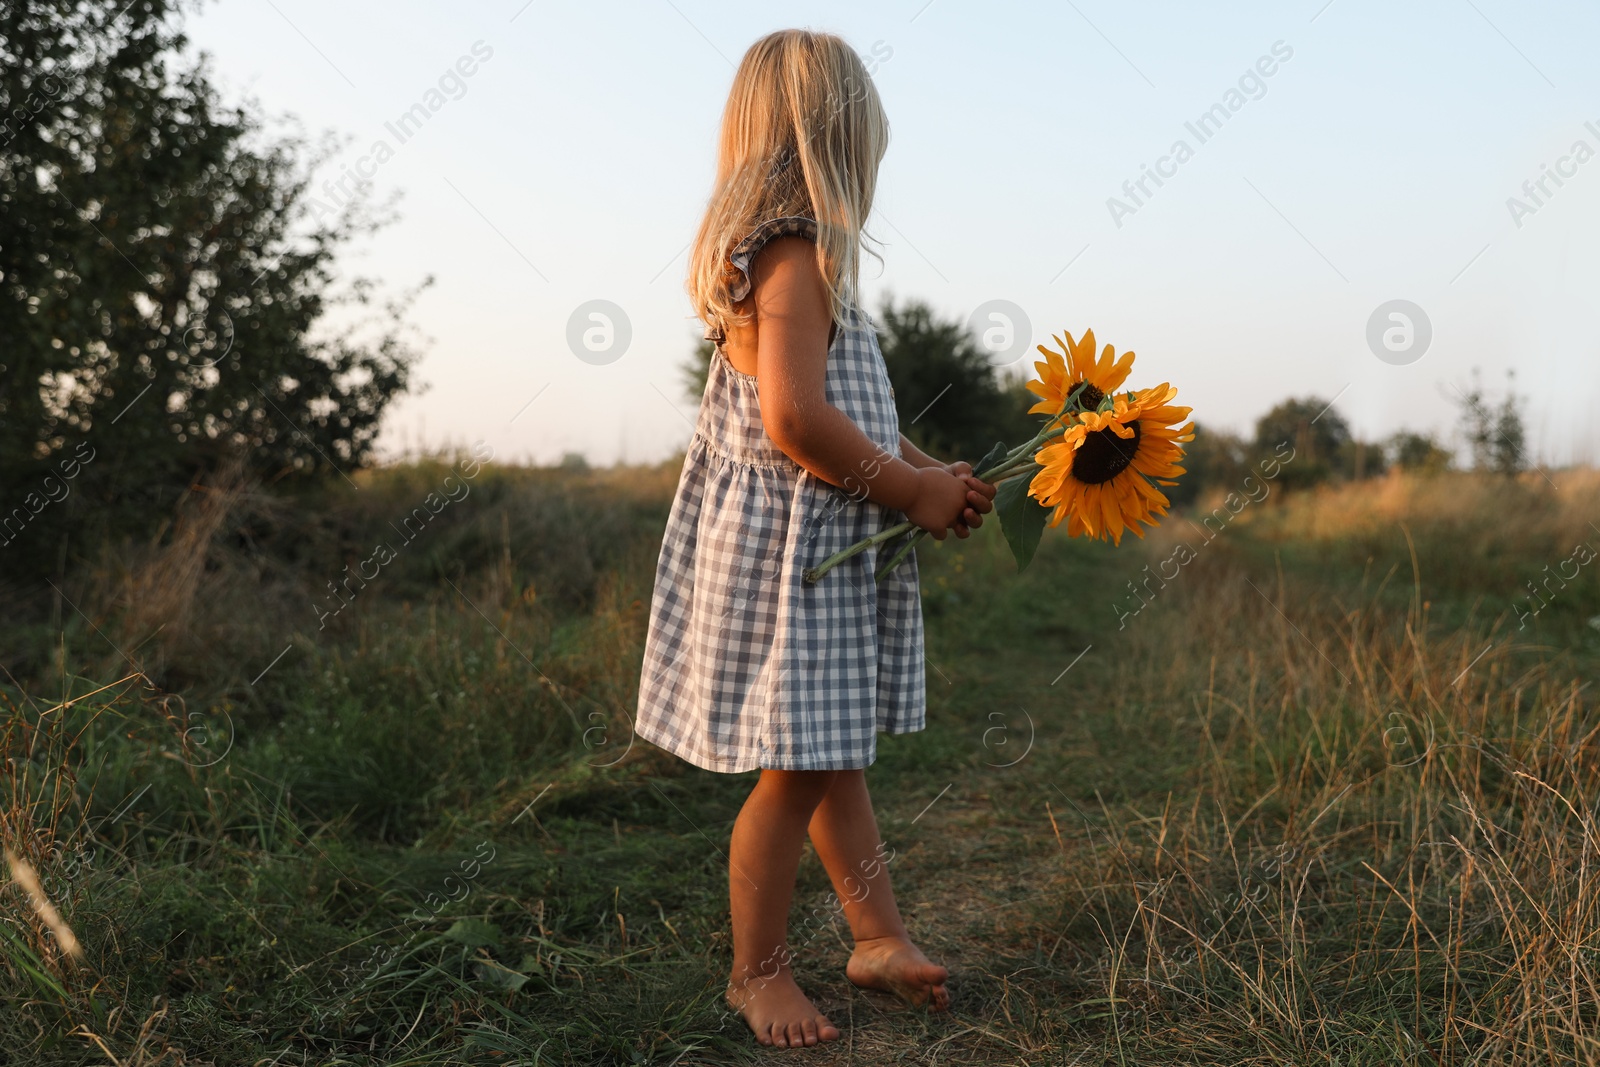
793, 326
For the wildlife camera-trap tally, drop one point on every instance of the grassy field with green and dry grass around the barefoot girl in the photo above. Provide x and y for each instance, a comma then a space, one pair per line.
1314, 781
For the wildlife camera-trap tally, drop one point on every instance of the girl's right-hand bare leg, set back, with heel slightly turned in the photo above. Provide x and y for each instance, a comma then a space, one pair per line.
846, 836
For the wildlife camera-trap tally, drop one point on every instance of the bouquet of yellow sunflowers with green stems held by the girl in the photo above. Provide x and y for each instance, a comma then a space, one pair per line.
1097, 462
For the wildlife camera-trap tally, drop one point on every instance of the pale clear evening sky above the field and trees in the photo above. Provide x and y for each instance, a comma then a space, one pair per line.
1351, 225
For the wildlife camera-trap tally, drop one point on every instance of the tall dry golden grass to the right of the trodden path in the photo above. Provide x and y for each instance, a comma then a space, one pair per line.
1391, 850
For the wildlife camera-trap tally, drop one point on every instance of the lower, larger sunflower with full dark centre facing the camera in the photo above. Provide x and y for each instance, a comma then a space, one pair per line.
1102, 476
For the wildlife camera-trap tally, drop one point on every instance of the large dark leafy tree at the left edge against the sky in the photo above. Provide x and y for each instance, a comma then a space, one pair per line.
164, 274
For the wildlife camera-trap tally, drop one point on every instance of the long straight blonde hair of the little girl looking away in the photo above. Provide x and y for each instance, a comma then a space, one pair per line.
802, 135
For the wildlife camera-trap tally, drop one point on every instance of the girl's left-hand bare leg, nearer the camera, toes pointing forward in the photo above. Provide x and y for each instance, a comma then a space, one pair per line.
762, 861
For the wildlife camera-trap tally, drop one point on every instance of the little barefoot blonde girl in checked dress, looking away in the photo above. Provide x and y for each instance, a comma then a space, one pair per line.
798, 455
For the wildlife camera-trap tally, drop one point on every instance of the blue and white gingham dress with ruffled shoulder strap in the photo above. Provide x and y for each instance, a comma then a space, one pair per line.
746, 665
